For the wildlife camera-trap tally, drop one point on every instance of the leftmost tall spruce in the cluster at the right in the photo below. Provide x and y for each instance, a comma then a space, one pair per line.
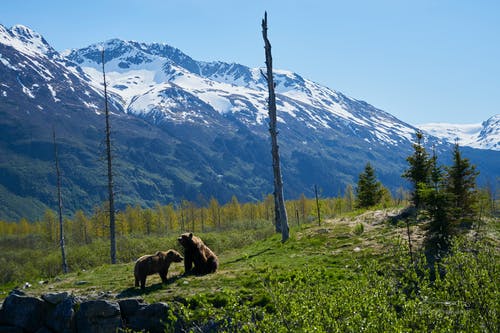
418, 172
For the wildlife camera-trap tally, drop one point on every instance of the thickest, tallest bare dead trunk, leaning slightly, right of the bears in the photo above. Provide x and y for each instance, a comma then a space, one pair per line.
279, 201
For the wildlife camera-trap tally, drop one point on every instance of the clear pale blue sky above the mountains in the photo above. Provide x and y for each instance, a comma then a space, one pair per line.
422, 61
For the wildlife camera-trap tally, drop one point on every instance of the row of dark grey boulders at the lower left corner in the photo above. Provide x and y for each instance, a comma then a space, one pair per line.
65, 313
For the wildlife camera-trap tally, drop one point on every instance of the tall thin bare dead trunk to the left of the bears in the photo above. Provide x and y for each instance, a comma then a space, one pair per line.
111, 197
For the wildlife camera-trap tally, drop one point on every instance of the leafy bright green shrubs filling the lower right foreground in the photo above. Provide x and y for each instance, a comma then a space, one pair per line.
392, 297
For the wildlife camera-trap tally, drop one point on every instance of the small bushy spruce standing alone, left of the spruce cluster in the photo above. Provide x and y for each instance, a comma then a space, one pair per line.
369, 190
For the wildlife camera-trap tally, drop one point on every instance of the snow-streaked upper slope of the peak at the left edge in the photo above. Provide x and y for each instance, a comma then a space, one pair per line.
34, 74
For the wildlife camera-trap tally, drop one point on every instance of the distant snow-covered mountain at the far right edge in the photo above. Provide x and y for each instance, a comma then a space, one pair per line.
482, 136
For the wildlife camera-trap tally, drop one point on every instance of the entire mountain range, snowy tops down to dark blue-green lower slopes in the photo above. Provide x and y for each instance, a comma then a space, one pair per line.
181, 129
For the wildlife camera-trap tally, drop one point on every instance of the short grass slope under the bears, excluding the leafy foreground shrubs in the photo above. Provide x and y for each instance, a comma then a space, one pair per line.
243, 254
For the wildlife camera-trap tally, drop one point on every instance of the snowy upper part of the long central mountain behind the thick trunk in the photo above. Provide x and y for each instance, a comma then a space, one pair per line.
149, 77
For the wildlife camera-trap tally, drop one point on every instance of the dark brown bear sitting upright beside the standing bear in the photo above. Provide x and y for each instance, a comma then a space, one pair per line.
197, 253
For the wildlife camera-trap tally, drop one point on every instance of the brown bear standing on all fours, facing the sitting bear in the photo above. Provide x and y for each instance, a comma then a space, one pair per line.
154, 263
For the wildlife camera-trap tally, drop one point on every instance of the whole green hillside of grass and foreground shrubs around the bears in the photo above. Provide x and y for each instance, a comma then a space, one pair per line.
325, 278
